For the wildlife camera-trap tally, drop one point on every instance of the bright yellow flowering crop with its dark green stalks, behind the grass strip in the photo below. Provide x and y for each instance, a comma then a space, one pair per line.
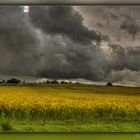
62, 103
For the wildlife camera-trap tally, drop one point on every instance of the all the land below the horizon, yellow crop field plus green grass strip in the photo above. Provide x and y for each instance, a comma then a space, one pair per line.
69, 108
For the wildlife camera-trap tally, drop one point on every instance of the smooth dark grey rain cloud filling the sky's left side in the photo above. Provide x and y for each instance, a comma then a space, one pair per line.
17, 42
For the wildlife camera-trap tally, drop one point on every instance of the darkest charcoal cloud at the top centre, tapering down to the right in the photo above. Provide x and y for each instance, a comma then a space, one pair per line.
62, 20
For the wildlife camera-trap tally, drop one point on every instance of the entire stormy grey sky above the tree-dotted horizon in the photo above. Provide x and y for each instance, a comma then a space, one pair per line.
97, 43
